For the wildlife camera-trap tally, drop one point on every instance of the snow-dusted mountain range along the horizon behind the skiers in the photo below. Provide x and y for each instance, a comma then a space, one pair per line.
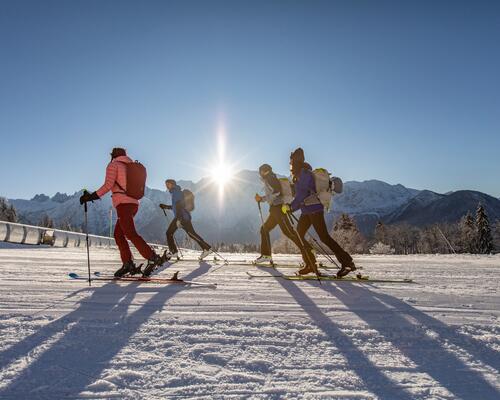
233, 216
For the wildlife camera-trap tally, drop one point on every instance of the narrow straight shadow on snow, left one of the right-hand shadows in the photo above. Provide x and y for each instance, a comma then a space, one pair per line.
357, 361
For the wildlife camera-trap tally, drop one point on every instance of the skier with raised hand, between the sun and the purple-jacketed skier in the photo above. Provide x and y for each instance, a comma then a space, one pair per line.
274, 198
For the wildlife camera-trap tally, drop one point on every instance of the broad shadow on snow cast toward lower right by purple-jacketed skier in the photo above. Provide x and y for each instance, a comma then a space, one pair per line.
411, 339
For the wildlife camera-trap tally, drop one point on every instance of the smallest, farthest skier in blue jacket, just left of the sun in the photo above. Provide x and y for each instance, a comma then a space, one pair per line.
182, 219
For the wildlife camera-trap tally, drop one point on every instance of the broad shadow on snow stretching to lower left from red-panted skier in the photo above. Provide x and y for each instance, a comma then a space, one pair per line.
86, 344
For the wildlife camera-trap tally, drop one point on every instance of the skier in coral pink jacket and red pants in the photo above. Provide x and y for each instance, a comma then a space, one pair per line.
126, 209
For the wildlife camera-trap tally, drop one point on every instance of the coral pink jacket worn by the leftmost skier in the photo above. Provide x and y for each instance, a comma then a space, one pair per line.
116, 181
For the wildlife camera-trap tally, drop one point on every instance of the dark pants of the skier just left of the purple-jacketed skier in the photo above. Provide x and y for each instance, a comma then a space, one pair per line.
276, 217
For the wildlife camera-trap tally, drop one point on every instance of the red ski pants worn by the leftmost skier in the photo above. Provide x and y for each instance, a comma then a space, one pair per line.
125, 229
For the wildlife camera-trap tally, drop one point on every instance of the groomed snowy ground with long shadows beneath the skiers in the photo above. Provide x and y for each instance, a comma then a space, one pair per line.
249, 339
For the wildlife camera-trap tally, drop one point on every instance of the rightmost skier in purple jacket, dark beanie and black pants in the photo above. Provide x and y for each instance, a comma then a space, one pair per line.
312, 210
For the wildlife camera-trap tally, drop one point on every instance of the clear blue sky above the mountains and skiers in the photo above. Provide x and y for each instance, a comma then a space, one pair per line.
405, 92
